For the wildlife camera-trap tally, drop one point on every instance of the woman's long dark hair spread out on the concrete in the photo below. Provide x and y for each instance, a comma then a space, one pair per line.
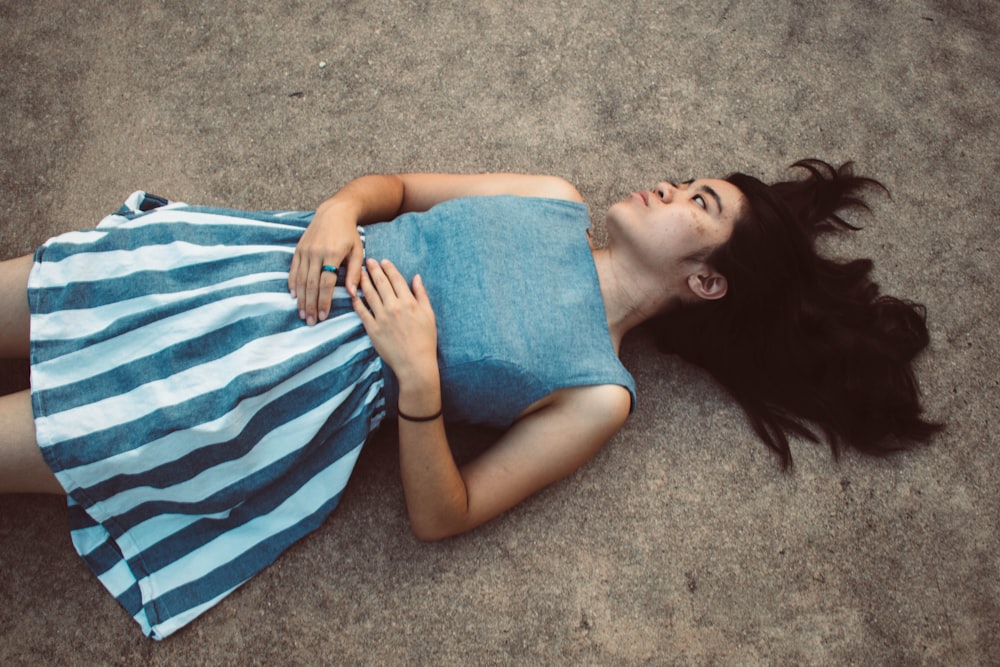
803, 342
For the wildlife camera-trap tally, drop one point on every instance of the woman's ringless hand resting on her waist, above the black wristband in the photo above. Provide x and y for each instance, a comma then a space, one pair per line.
399, 321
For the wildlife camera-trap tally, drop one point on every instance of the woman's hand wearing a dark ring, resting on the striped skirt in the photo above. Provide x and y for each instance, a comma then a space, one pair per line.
331, 239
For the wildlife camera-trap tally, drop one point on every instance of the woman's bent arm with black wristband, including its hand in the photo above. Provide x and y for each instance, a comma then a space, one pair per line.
544, 446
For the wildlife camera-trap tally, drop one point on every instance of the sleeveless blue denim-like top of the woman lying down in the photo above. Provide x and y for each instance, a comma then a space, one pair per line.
516, 298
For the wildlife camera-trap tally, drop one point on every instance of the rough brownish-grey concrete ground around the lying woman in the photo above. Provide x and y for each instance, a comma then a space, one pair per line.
682, 542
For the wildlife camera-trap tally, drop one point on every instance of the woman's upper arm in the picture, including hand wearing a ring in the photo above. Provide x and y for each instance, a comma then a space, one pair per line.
332, 239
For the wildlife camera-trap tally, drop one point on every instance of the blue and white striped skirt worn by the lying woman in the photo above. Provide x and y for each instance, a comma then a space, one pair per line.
198, 426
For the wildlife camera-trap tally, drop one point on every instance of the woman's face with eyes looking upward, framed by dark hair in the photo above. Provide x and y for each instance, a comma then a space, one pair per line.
673, 224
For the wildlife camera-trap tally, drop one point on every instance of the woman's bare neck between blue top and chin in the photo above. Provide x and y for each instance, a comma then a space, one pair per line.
627, 301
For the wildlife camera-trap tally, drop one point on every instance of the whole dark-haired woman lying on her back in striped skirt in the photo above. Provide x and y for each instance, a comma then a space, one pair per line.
200, 421
